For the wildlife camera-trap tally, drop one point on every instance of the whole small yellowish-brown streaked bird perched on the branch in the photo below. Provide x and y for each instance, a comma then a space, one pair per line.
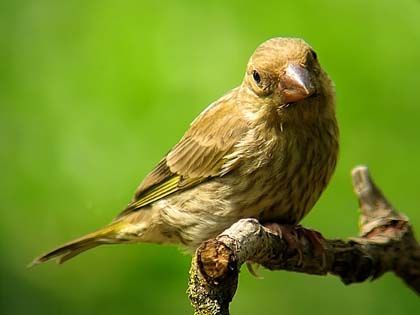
265, 150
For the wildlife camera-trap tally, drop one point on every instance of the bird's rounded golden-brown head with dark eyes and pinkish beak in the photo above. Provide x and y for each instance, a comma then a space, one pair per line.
284, 76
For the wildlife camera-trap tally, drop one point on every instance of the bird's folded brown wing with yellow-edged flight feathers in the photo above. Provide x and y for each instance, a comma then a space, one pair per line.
203, 153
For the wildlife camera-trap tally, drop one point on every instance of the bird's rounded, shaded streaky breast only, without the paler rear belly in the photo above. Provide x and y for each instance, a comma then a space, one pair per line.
287, 176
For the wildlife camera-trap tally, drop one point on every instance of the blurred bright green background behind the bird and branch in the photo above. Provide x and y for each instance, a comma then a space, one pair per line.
93, 93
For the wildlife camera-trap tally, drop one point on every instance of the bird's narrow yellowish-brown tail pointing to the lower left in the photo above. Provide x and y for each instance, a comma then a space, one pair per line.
105, 235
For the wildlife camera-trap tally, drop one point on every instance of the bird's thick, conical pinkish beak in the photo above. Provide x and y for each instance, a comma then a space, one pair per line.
296, 84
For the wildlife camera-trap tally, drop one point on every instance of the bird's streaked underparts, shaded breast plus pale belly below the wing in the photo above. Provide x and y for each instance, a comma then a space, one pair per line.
279, 179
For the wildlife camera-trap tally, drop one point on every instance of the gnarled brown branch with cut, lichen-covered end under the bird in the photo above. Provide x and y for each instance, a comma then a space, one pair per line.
386, 243
